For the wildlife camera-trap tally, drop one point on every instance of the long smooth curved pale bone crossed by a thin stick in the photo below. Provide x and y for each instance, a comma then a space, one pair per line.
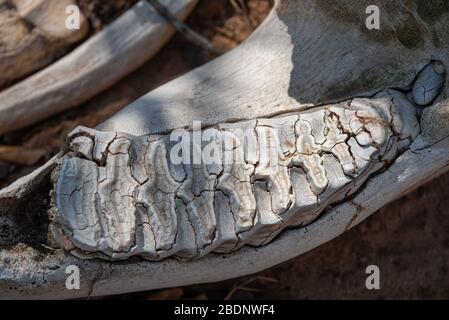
94, 66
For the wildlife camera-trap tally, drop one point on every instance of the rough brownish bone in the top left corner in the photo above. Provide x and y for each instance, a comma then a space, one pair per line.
32, 35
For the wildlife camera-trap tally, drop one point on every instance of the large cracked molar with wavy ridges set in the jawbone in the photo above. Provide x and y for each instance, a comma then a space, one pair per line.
118, 195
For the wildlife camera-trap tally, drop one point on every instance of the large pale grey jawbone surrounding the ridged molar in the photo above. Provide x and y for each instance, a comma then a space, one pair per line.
307, 53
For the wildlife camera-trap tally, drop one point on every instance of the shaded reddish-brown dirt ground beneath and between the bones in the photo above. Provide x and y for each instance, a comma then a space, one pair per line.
407, 239
